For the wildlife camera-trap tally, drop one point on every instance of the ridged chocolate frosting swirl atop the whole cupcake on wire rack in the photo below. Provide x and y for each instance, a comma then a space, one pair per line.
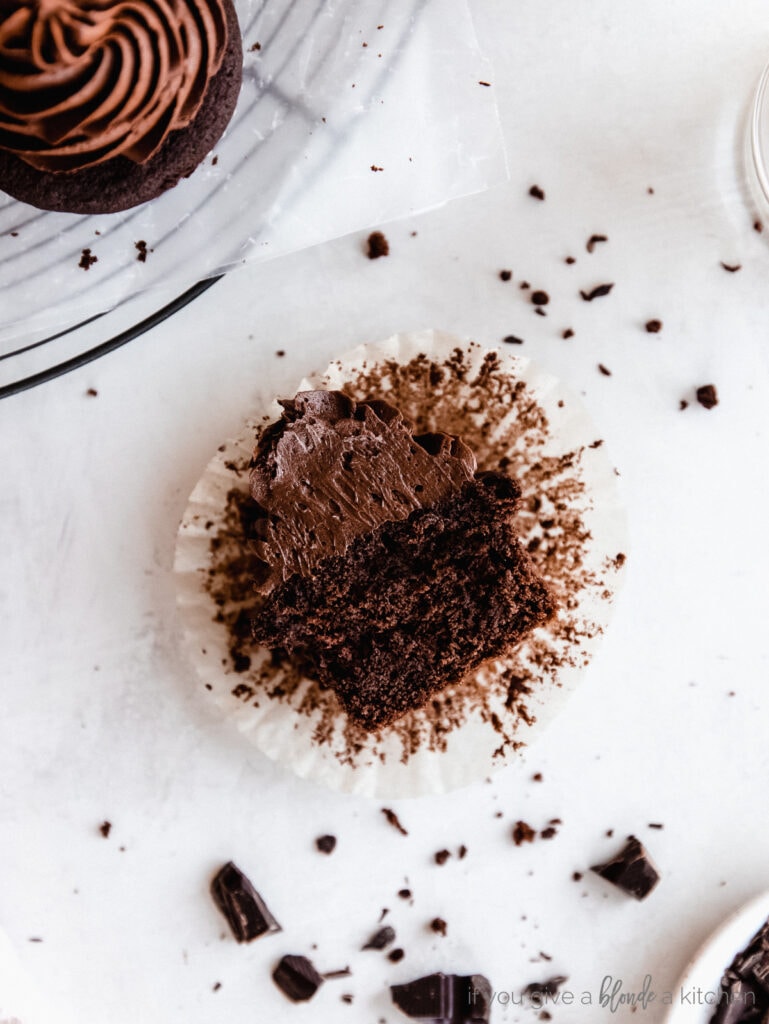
83, 81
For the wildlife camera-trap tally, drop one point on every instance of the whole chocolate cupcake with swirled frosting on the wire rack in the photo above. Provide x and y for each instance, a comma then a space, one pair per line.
105, 106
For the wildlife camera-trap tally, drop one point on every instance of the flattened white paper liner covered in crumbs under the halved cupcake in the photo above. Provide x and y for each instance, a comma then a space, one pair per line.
515, 416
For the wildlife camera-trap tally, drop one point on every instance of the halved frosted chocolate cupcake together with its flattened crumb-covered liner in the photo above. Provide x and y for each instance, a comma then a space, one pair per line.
417, 644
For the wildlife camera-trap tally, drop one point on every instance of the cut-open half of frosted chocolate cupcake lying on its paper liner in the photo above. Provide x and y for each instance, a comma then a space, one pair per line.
390, 568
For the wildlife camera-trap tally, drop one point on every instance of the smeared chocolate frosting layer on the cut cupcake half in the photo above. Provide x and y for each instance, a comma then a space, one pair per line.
332, 470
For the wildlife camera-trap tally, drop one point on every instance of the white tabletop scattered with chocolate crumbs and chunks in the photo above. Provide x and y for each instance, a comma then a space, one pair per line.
101, 720
